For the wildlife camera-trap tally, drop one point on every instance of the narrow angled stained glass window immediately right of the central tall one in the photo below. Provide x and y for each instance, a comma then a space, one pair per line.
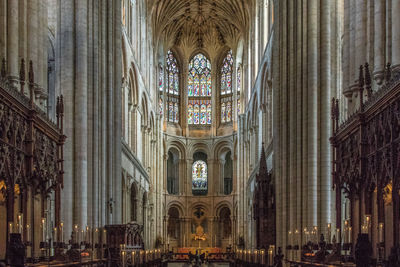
226, 88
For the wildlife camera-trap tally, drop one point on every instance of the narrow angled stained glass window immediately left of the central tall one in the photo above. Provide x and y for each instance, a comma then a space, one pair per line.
171, 90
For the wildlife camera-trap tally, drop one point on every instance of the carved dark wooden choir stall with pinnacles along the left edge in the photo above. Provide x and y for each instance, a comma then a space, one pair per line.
31, 171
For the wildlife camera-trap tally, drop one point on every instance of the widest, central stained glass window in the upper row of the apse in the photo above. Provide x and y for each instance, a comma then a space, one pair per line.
199, 91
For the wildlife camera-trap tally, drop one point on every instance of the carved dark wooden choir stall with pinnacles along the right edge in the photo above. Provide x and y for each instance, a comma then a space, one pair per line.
366, 171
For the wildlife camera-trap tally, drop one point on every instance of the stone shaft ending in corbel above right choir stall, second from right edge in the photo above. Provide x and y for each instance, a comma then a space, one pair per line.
379, 39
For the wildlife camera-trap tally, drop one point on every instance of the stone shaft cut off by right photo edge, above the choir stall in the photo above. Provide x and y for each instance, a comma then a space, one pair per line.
396, 35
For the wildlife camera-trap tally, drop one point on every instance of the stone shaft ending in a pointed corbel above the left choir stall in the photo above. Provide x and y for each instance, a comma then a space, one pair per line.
12, 40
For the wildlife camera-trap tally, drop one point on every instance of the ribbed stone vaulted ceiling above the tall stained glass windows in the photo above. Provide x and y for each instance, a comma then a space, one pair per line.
199, 23
